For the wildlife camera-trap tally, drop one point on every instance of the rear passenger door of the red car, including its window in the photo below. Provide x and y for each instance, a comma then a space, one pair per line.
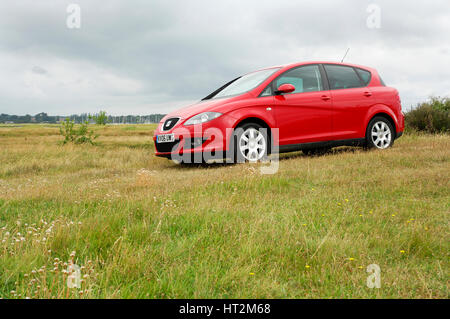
351, 100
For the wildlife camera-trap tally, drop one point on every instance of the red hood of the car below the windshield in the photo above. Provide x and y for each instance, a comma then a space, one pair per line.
213, 105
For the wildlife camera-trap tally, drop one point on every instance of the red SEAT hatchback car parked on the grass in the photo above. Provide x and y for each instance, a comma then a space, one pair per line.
309, 106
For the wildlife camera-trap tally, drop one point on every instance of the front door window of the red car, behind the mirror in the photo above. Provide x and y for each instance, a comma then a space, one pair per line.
304, 79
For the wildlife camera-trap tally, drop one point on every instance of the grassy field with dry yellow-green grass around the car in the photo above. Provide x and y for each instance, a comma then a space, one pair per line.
143, 227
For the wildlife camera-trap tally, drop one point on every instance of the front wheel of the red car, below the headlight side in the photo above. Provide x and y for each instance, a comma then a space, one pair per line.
250, 143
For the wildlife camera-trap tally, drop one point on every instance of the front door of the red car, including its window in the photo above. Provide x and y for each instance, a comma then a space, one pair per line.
304, 115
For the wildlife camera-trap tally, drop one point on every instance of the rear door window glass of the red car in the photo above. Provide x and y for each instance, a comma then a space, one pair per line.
342, 77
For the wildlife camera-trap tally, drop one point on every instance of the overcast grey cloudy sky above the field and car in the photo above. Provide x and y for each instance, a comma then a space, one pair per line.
142, 57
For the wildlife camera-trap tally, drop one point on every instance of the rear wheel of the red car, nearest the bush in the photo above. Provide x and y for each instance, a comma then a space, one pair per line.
380, 133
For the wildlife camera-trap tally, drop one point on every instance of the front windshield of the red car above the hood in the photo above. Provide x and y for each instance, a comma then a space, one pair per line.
243, 84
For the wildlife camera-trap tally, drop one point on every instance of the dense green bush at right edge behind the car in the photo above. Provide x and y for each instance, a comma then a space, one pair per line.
432, 116
